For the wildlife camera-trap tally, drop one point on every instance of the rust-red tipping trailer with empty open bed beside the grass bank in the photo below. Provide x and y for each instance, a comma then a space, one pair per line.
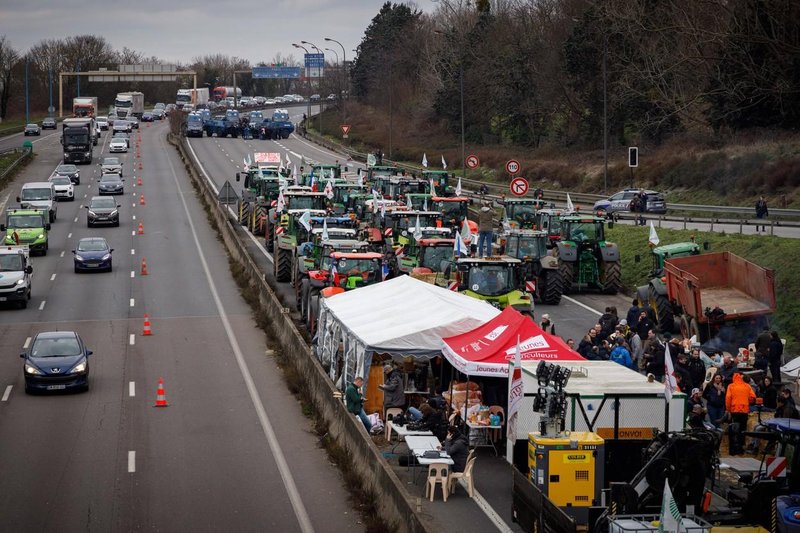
721, 298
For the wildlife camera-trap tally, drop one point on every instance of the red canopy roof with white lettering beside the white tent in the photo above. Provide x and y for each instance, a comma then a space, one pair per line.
486, 350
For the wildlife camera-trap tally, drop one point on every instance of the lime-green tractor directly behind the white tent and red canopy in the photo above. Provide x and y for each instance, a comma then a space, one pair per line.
496, 280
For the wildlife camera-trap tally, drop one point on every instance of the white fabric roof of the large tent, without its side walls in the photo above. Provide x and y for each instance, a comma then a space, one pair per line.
406, 316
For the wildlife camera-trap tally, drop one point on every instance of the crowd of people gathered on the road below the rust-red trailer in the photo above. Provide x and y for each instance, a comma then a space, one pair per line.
718, 392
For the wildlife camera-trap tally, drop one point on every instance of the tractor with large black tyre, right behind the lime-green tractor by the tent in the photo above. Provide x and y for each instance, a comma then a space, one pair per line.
541, 269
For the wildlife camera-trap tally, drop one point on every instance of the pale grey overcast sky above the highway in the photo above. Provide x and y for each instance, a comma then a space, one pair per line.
178, 31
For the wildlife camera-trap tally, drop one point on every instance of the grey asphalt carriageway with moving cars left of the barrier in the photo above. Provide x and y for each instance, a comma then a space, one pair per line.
231, 452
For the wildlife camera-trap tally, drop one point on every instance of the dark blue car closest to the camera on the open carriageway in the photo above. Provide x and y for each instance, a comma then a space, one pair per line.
57, 360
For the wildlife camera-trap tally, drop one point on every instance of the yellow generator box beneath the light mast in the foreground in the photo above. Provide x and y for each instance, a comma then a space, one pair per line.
568, 469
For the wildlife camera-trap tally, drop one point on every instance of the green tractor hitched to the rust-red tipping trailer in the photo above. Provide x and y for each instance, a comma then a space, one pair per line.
655, 292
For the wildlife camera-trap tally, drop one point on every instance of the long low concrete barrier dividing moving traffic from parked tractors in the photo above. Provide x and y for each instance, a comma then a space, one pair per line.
393, 502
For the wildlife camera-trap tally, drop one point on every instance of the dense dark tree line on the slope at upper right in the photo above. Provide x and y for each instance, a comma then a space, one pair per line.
534, 71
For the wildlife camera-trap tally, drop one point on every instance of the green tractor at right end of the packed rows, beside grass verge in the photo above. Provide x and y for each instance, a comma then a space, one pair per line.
587, 259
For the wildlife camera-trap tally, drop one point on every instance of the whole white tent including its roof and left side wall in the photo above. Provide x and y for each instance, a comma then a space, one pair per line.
401, 316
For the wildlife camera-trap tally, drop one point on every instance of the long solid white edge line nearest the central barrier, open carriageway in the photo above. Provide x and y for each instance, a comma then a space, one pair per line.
269, 432
